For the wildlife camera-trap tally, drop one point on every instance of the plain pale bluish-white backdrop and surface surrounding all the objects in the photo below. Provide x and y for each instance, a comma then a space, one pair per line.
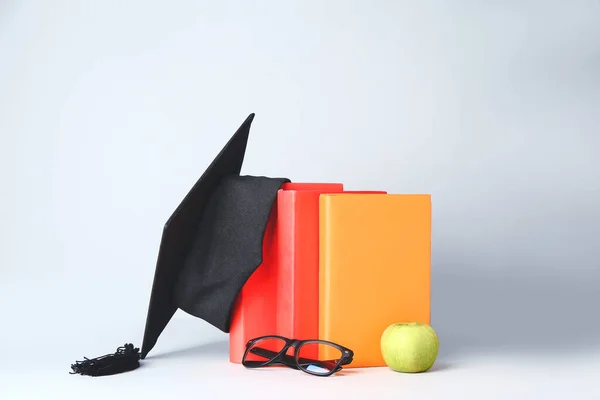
110, 111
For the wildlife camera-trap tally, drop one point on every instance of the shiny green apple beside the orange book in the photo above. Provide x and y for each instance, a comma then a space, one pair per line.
409, 346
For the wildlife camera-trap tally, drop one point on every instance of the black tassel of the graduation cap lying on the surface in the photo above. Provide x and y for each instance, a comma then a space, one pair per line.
126, 358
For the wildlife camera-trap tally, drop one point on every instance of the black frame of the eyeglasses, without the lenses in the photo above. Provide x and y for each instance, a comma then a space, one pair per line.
281, 358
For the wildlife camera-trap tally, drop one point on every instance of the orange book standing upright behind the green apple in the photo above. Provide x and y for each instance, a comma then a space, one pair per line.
374, 268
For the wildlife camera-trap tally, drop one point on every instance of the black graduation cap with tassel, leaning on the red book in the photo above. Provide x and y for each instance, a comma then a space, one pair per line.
210, 246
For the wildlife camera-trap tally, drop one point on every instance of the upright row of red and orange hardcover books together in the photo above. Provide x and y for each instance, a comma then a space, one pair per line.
340, 266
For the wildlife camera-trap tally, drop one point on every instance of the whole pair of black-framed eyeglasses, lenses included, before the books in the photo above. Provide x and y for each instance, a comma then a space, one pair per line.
315, 357
